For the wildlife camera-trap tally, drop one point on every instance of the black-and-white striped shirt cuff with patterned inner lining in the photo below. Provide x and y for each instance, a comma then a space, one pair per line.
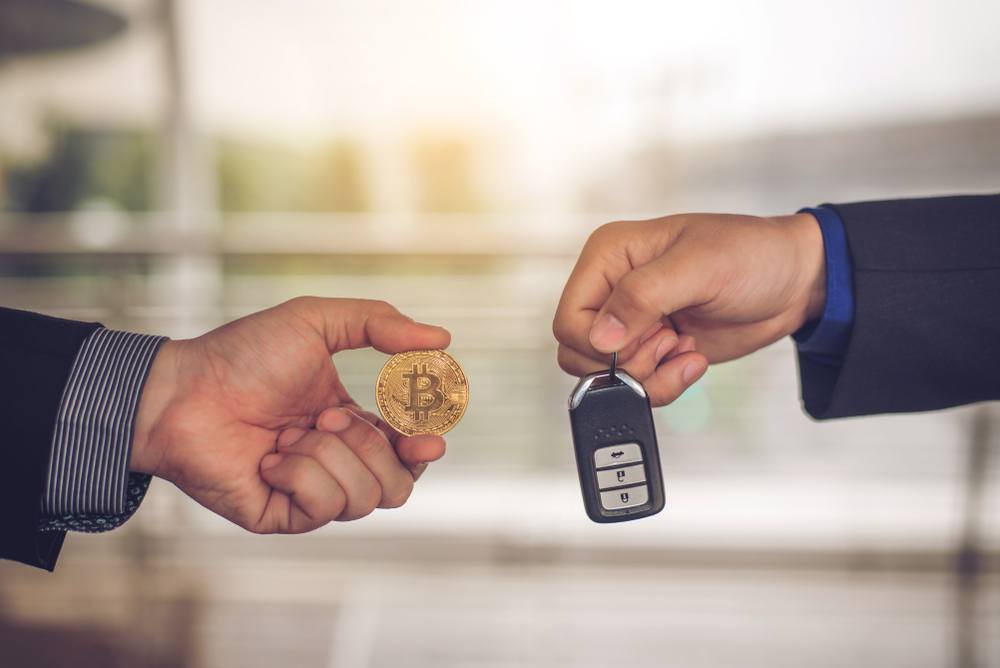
88, 486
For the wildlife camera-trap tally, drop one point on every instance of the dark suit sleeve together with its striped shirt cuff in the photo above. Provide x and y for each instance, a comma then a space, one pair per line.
68, 395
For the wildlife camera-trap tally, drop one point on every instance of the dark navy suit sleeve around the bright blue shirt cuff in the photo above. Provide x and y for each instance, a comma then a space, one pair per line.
925, 332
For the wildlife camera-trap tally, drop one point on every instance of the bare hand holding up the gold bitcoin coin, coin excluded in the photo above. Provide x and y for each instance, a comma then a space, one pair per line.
229, 416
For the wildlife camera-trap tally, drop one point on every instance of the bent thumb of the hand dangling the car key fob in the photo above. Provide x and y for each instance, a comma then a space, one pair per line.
640, 299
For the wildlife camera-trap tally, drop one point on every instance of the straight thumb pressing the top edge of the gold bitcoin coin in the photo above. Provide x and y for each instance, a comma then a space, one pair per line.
360, 323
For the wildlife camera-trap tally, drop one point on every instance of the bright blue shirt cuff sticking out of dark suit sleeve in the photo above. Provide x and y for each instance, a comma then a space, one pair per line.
826, 340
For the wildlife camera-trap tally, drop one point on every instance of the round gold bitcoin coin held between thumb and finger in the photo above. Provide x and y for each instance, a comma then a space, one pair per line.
422, 392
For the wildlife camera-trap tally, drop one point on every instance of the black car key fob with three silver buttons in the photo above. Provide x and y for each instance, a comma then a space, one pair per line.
616, 450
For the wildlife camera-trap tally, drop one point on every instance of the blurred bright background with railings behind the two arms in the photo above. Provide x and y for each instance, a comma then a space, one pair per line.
169, 165
